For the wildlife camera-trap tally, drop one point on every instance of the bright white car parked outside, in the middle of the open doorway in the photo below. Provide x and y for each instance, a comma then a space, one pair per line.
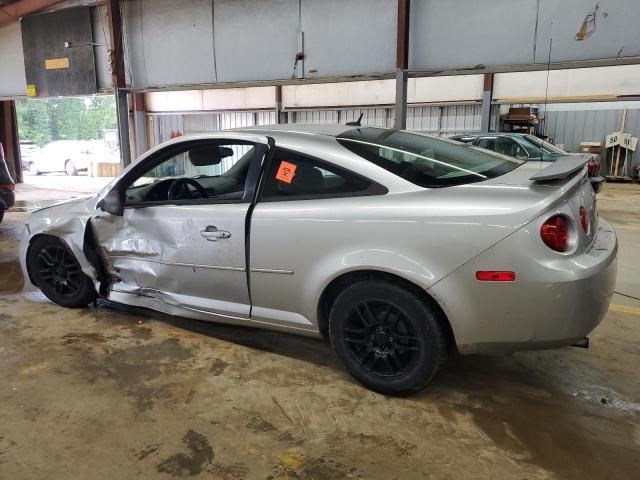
69, 156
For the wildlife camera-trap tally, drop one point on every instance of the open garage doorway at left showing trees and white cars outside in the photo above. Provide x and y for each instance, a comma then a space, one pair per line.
68, 144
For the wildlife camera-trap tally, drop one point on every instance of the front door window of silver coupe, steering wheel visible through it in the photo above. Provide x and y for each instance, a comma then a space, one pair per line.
194, 173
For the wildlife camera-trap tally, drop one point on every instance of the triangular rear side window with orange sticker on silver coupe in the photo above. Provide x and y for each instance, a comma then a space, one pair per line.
293, 176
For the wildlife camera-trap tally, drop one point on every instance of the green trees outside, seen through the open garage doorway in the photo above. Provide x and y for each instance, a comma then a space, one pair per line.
43, 121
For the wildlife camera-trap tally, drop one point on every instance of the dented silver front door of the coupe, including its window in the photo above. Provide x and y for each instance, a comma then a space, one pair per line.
181, 237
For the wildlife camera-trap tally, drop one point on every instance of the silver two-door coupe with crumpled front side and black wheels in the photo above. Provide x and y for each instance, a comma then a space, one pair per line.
398, 247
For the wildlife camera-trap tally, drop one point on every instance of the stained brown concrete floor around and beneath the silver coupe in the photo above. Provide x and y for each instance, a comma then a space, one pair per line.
106, 393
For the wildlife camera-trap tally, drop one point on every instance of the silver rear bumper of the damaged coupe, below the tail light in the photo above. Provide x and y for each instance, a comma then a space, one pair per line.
554, 301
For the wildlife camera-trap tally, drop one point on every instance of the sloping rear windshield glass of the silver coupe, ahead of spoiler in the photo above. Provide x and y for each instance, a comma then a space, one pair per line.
425, 161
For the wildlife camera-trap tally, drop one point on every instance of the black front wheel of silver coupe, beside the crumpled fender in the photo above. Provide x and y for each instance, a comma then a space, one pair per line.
57, 272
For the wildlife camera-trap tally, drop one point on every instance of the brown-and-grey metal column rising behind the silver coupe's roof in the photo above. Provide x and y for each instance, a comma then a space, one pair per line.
402, 63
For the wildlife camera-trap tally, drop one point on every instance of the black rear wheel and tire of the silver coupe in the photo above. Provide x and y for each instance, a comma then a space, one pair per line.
388, 338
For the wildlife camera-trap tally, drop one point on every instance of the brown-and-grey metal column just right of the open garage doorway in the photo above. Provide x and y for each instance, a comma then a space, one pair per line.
119, 83
